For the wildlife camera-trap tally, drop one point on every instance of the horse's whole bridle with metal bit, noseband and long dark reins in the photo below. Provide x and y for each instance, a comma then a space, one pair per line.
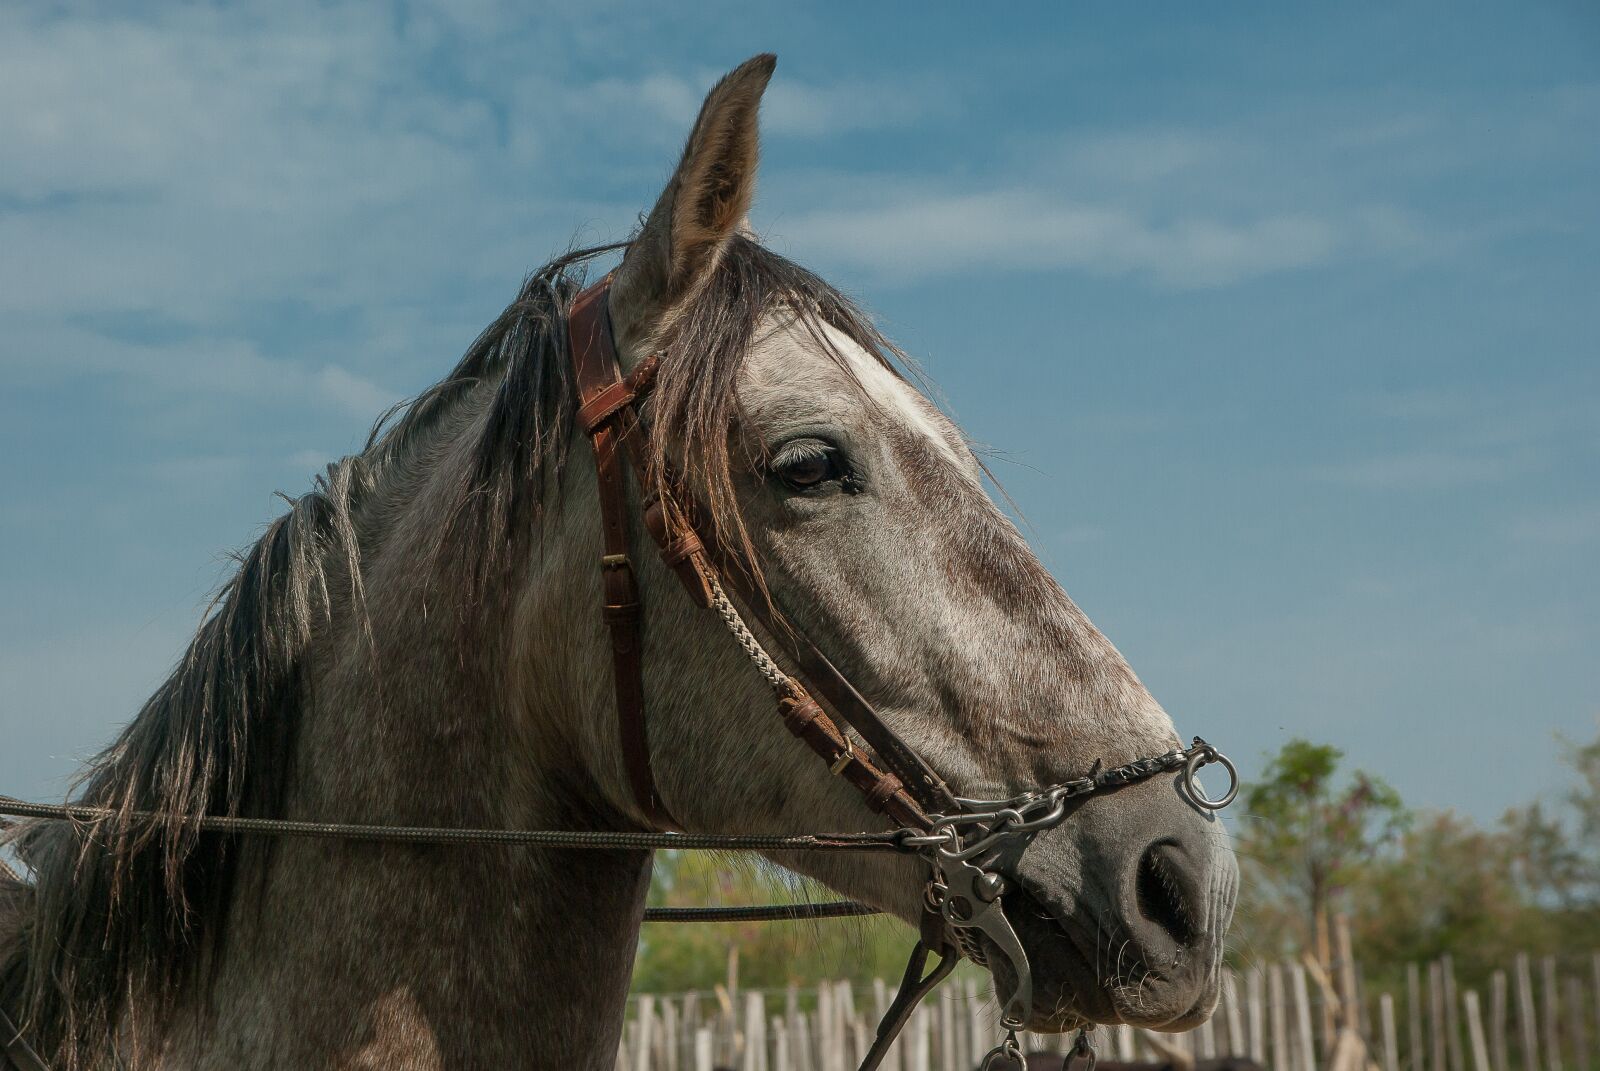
954, 836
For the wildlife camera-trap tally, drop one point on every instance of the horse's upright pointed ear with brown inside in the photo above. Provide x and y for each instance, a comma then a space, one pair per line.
702, 209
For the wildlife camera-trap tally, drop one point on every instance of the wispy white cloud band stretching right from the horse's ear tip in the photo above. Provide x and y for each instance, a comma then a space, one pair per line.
1188, 207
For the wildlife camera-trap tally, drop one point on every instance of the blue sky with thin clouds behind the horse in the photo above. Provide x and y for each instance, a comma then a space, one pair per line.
1281, 321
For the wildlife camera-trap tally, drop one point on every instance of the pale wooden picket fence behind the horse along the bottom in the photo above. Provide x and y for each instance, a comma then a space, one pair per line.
1535, 1016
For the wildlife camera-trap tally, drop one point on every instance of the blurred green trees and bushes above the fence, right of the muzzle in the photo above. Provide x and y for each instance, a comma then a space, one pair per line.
1418, 884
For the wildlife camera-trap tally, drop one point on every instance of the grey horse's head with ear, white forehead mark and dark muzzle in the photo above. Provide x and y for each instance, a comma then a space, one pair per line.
863, 516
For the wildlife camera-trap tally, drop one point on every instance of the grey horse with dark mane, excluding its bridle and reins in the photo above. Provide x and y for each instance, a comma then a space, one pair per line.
418, 643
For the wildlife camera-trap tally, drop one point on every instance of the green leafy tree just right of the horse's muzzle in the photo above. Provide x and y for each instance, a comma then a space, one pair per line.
1308, 833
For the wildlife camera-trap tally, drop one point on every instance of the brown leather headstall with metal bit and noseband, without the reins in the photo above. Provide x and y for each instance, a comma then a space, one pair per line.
953, 835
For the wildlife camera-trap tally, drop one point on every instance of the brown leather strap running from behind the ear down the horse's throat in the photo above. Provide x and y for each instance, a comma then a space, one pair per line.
604, 401
